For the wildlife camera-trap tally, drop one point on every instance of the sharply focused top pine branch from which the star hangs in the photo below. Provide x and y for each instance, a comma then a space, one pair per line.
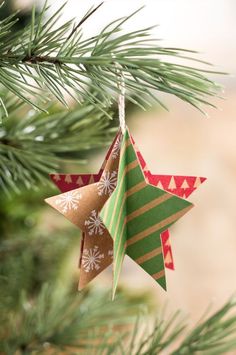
43, 56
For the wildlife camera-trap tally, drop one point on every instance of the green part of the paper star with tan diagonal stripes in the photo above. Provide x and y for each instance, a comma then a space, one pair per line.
136, 214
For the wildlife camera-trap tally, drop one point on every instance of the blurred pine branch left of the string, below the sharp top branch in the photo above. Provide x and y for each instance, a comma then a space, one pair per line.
38, 144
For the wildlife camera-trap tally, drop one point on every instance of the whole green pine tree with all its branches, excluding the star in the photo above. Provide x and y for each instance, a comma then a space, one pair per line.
58, 94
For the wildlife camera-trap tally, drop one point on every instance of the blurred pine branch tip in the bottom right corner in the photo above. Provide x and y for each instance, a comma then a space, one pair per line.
215, 335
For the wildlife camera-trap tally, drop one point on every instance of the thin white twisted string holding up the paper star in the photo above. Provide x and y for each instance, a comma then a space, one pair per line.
121, 97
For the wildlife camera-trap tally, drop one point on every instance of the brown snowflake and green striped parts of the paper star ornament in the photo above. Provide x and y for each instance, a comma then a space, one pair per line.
121, 214
